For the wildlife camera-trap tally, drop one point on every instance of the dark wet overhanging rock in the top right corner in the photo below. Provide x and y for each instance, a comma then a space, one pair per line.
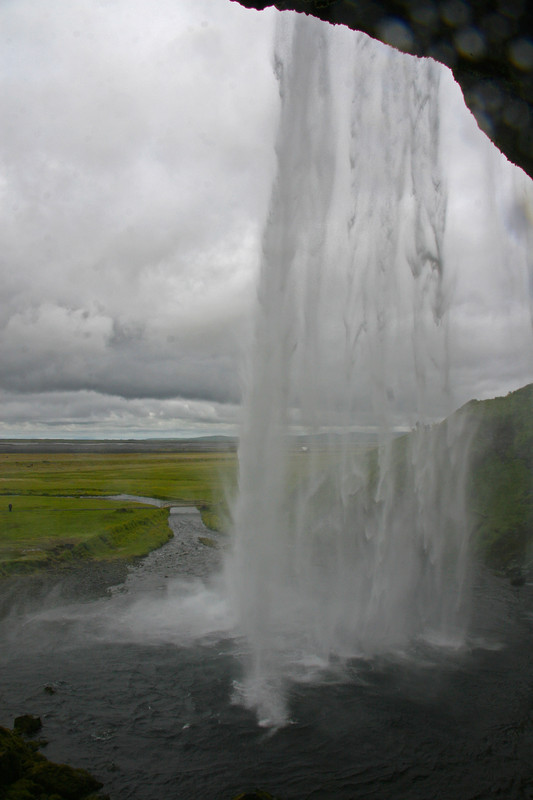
488, 45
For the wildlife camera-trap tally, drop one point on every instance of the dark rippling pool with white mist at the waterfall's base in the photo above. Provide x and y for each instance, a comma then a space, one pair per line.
144, 696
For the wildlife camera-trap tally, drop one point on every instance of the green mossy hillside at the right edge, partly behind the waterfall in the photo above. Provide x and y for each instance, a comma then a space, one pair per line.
498, 447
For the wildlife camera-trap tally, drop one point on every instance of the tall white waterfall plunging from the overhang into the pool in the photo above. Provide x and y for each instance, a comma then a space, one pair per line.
343, 550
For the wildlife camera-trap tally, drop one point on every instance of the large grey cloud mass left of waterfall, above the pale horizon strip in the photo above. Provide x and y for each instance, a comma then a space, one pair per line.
134, 177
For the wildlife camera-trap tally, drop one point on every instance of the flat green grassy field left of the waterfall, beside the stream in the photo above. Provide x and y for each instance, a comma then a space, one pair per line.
60, 515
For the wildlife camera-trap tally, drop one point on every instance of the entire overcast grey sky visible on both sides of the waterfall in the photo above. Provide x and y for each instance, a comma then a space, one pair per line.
136, 159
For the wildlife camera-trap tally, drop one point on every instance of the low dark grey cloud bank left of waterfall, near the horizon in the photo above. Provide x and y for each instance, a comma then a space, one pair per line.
58, 349
